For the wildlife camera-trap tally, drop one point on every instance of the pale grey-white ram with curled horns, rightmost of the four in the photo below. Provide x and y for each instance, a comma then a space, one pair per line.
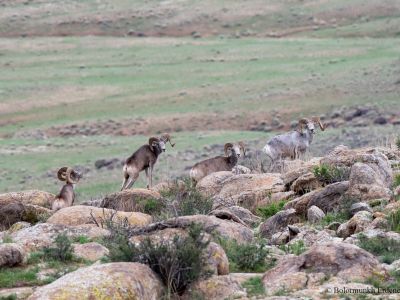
294, 143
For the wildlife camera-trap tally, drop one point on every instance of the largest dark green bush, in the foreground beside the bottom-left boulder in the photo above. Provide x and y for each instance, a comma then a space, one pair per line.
178, 262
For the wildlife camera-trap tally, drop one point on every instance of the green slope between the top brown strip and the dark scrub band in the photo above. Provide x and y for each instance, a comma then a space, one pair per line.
53, 81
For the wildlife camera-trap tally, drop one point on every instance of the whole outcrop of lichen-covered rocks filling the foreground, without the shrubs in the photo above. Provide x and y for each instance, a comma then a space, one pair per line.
333, 257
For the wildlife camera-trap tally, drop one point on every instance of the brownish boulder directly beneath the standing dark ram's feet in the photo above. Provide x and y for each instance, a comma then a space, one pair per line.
129, 200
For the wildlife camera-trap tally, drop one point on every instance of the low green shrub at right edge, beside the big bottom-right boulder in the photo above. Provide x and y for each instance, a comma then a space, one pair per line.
387, 250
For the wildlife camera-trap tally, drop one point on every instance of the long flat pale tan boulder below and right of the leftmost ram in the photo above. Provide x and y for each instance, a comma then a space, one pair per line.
81, 214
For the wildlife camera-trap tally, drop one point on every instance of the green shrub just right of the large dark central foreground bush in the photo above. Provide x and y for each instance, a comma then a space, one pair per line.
249, 257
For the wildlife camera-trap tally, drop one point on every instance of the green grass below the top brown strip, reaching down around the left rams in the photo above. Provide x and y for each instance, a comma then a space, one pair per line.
43, 84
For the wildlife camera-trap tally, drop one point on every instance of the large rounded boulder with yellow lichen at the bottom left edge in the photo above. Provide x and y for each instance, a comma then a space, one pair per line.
107, 281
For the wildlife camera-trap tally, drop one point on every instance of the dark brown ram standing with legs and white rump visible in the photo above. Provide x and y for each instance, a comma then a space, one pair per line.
144, 159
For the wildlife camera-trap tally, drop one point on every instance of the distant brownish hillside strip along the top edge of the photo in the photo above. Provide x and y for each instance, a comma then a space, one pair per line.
201, 18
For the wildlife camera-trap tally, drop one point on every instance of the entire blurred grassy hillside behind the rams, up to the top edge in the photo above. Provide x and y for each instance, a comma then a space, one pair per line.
67, 98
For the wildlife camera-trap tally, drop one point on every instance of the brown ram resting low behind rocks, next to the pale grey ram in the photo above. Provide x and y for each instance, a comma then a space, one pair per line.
218, 163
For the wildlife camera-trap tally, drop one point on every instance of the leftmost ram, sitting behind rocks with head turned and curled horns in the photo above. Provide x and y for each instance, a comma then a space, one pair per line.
66, 196
